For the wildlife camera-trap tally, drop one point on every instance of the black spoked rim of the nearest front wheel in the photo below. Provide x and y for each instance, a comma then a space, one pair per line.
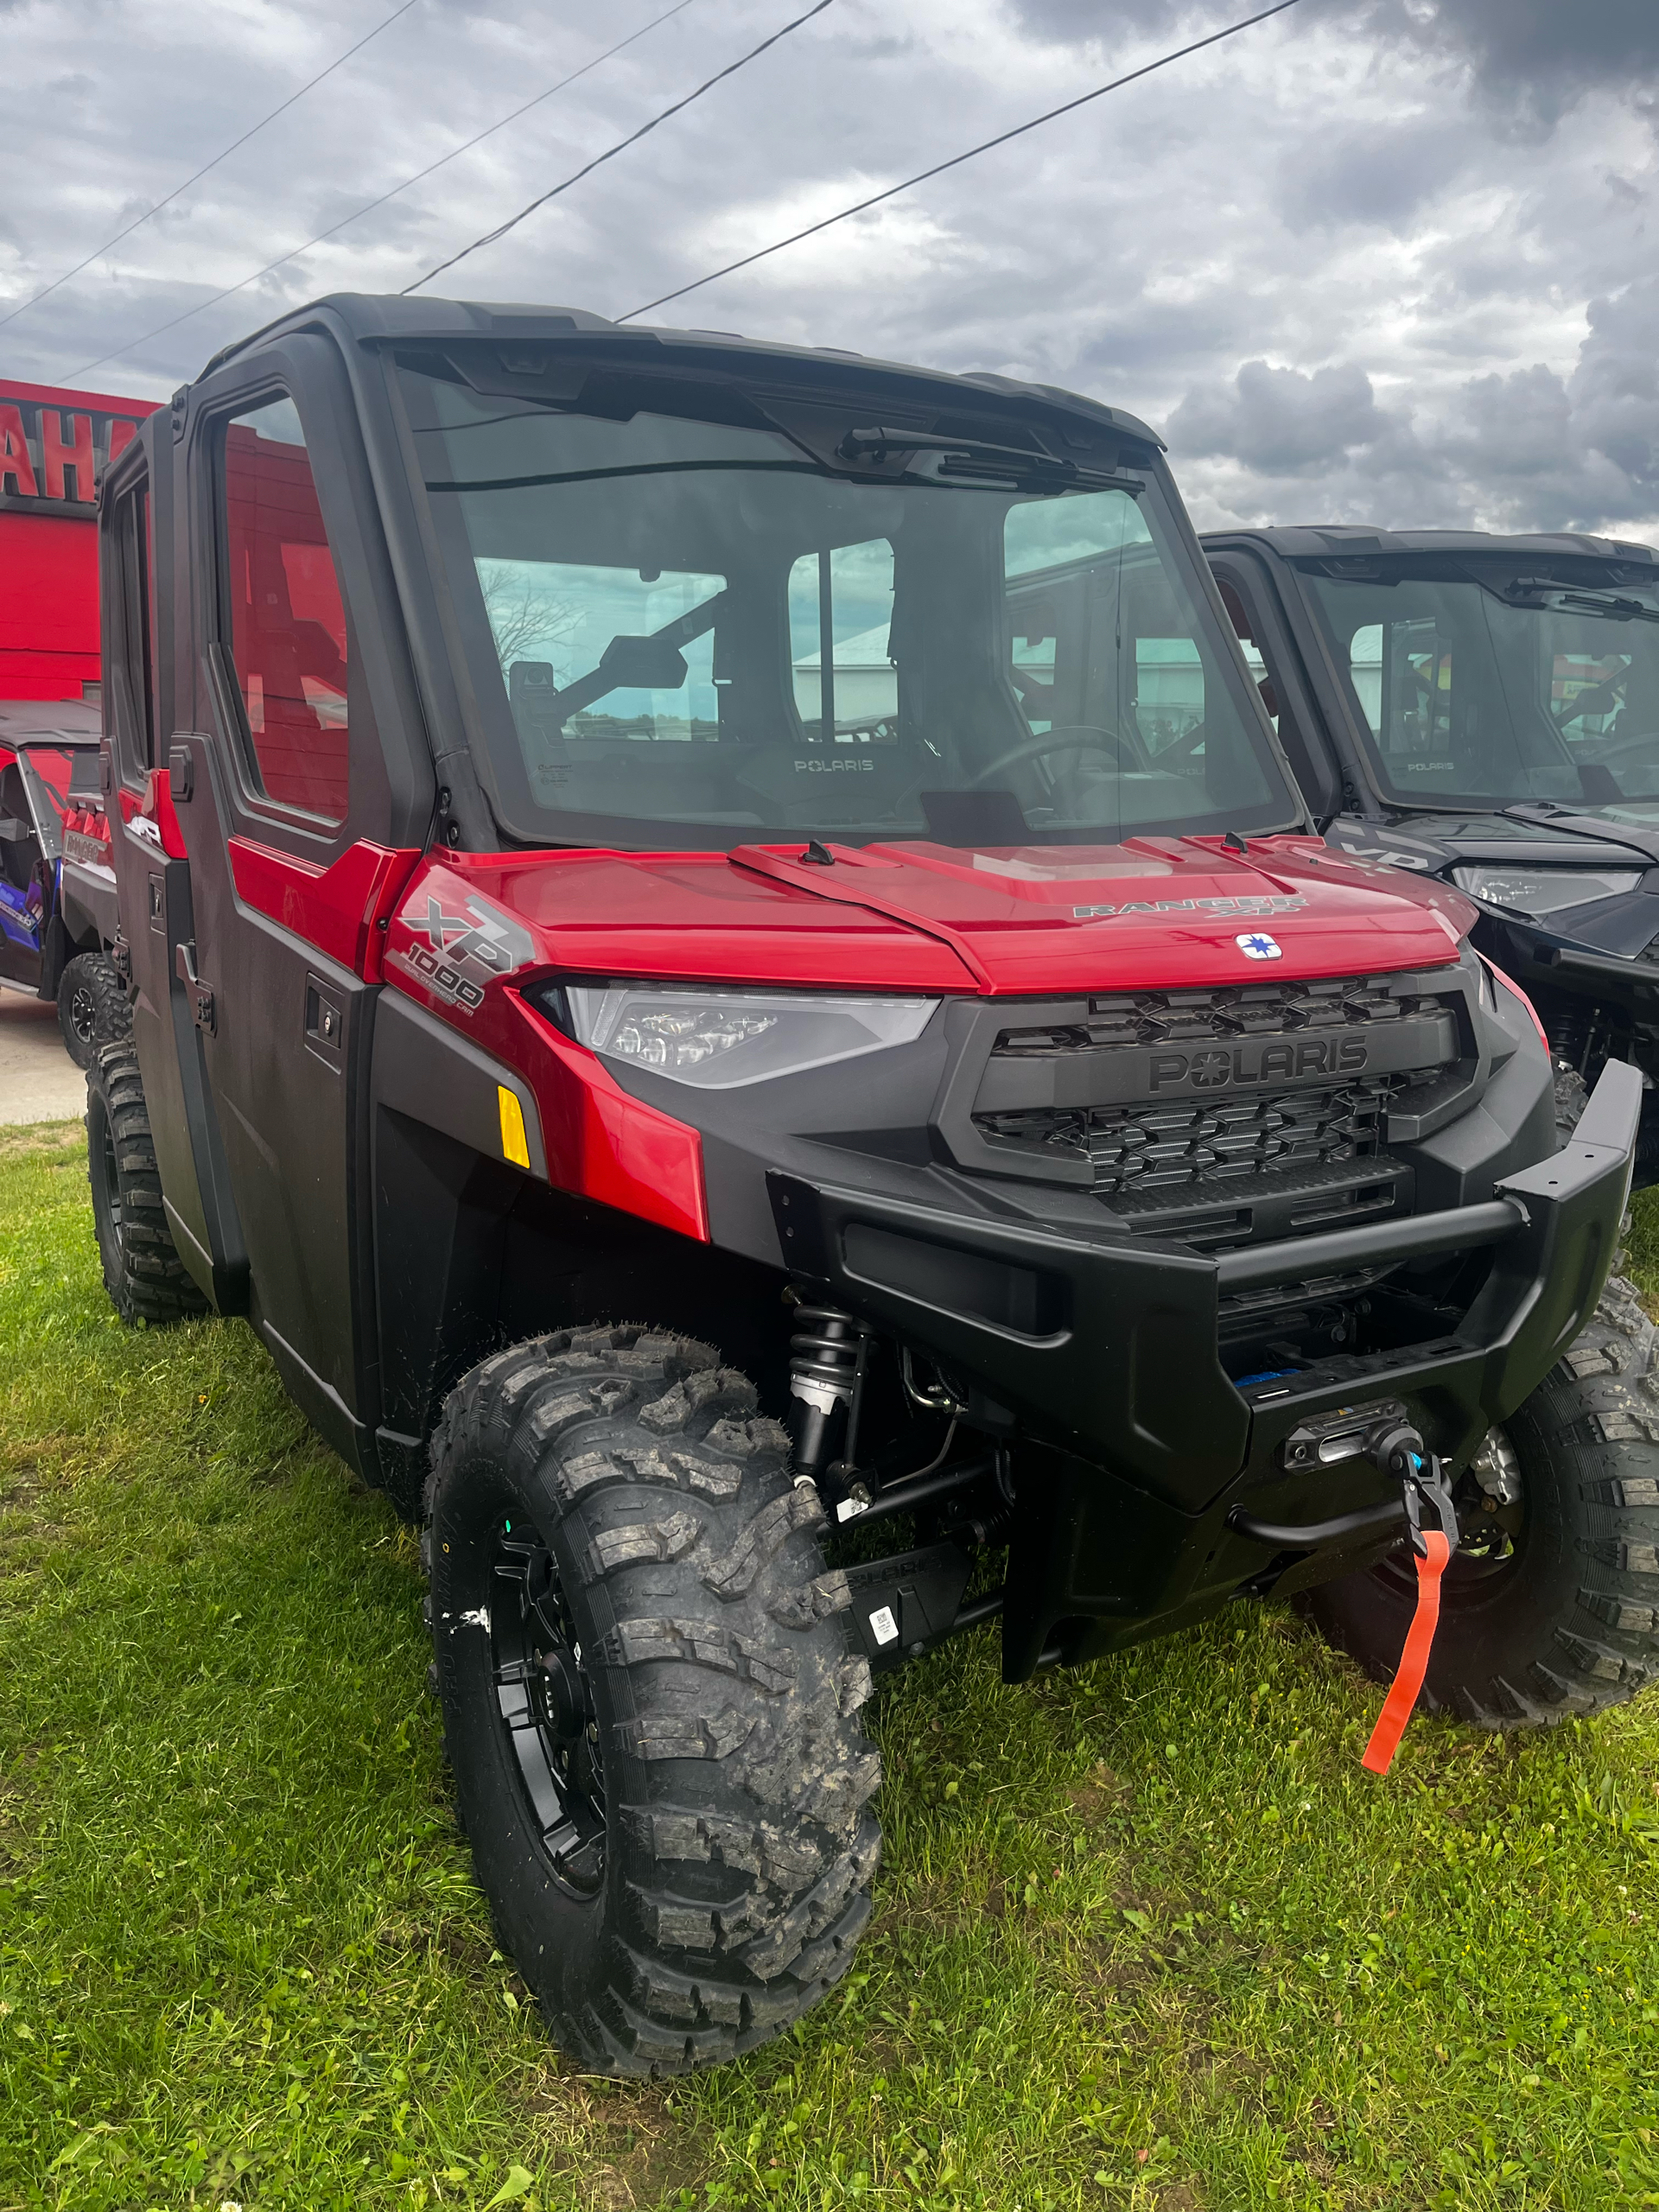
545, 1704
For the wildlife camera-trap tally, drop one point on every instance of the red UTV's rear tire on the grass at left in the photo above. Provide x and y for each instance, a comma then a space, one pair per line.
143, 1269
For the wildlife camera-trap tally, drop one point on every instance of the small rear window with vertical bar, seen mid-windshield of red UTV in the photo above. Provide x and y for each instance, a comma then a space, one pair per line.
846, 598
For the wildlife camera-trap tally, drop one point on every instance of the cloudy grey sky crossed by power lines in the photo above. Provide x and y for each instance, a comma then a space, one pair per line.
1375, 260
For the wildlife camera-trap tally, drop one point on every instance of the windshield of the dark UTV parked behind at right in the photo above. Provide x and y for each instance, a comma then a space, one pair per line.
1503, 691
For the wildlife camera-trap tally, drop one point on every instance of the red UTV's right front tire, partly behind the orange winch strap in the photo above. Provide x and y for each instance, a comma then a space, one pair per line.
1569, 1625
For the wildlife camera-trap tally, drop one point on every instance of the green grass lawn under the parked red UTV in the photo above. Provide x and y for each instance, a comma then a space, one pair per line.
1147, 1937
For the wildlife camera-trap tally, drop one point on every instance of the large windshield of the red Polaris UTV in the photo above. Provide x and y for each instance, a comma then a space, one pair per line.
691, 634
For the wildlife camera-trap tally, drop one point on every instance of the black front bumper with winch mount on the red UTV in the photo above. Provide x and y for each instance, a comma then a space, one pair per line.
1105, 1359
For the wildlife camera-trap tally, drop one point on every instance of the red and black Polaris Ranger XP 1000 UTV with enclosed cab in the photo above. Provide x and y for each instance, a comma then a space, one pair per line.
727, 966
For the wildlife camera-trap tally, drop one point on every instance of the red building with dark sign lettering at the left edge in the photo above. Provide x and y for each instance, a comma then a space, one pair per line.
54, 448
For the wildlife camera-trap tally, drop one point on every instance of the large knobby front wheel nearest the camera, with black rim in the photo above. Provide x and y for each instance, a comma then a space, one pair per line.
649, 1698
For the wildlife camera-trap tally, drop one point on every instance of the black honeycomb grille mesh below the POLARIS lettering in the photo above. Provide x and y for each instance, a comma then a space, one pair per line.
1189, 1145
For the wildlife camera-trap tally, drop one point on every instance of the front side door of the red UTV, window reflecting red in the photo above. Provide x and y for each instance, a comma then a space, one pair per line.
282, 795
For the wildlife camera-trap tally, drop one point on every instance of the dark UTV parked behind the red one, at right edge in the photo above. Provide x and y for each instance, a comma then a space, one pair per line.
1485, 711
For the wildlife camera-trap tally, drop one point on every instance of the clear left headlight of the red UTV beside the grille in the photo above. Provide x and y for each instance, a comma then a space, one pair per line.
724, 1039
